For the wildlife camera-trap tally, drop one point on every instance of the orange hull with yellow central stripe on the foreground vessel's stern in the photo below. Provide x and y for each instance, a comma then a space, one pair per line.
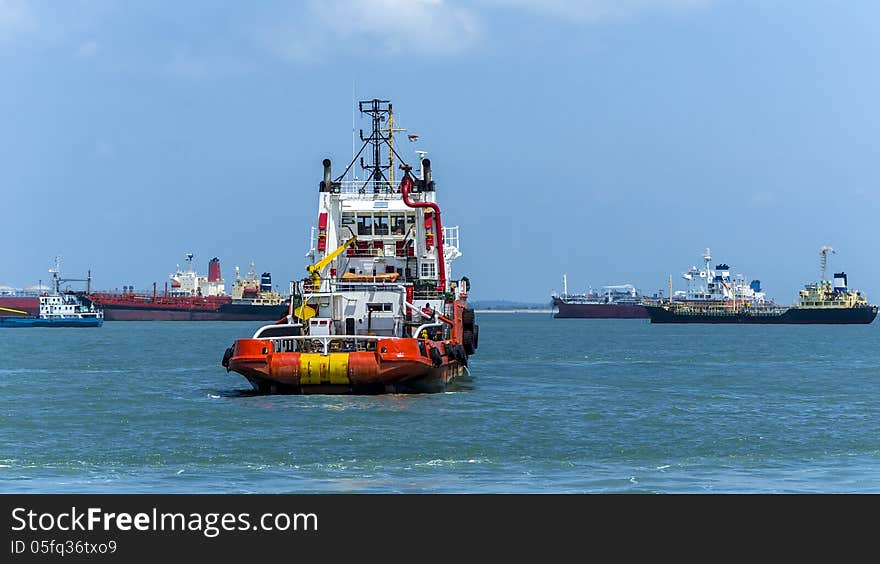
397, 365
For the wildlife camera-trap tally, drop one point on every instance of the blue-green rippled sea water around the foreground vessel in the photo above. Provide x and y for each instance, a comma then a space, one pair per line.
551, 406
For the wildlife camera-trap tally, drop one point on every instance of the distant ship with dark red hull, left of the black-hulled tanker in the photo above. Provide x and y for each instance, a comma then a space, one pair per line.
622, 301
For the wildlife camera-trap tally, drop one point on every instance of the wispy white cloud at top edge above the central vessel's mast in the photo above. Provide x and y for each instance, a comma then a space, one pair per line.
389, 26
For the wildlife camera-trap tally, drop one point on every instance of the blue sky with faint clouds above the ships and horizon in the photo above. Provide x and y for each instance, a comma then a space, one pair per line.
610, 140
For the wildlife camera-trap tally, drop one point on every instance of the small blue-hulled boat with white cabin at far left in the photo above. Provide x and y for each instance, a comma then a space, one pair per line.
56, 310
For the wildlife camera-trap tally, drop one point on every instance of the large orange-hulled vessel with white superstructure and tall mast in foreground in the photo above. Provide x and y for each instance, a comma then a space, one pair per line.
379, 311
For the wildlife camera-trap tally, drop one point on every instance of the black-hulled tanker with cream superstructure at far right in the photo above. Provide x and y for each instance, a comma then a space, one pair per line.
825, 302
